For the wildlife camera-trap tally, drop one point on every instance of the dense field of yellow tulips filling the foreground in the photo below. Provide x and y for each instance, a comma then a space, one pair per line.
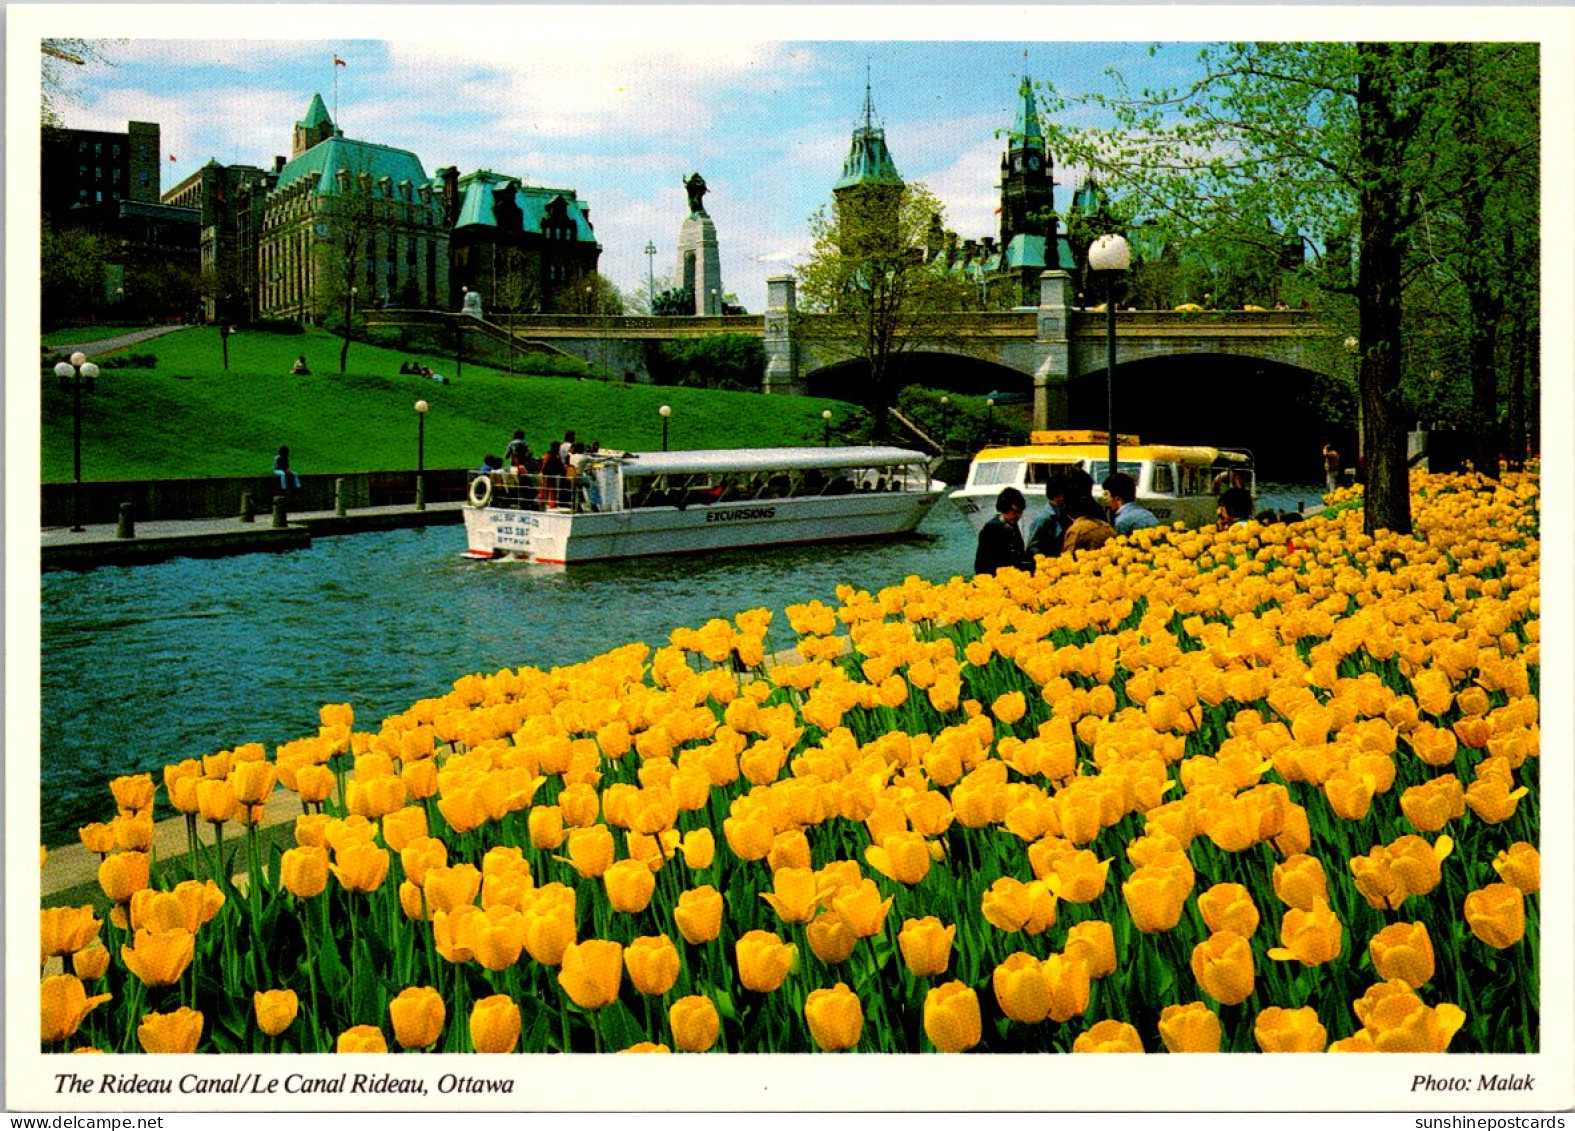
1272, 788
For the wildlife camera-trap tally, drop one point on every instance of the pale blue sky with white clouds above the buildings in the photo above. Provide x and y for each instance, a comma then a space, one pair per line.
768, 122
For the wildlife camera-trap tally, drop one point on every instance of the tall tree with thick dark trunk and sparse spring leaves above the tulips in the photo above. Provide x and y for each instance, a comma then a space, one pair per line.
1319, 138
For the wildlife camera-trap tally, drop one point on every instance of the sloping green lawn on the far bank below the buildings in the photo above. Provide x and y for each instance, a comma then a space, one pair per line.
188, 418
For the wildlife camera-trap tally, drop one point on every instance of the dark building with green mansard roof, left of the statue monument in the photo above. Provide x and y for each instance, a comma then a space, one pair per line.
527, 250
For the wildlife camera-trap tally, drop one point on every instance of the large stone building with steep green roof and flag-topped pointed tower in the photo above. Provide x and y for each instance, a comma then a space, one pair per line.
346, 223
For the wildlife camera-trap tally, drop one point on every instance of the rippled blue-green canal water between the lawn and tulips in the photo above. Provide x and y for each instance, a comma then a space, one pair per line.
147, 666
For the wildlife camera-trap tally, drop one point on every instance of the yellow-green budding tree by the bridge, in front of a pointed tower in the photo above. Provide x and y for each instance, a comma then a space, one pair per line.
870, 292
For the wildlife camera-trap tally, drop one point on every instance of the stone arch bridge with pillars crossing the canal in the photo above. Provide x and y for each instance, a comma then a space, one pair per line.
1051, 344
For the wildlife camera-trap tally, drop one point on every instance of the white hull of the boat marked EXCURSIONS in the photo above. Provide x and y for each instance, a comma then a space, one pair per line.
561, 538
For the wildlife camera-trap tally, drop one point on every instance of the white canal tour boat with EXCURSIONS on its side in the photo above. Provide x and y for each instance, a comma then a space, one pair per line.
632, 505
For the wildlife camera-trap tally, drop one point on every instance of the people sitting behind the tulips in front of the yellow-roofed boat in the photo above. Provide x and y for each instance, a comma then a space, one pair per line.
1075, 521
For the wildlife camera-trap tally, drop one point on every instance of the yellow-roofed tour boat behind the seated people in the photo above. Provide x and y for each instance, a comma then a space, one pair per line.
1174, 483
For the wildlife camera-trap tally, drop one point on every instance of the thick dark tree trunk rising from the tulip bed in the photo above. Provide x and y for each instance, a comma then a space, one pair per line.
1387, 500
